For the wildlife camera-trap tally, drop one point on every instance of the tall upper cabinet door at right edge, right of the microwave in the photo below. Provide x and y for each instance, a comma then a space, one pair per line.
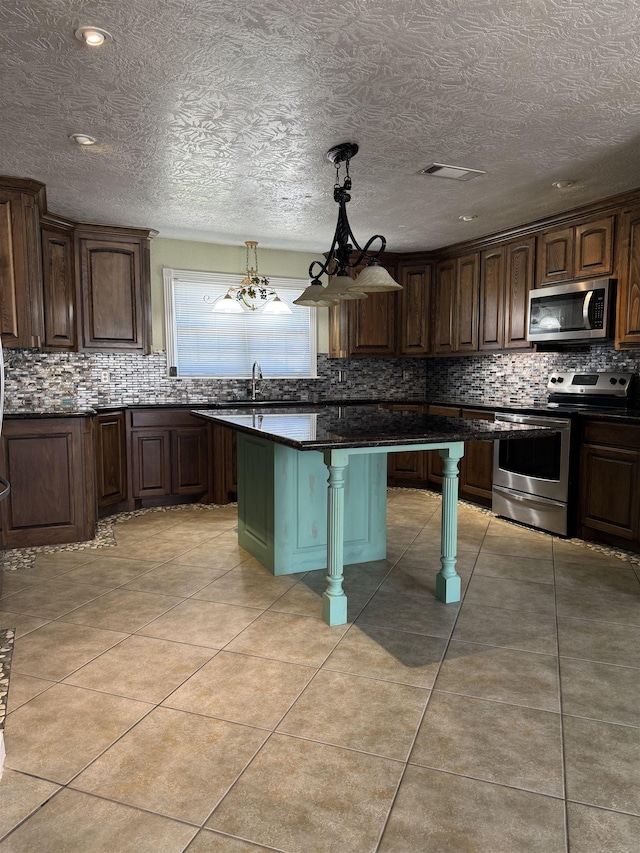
628, 298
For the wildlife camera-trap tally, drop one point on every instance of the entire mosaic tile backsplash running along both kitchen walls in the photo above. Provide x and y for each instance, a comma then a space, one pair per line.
50, 382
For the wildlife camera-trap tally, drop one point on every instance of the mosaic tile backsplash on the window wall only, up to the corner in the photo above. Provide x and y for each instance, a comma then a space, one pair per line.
43, 382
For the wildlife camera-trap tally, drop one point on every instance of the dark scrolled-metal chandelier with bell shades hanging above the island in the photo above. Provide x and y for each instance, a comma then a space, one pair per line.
341, 256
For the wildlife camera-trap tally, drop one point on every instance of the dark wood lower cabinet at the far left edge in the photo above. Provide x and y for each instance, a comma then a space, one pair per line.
49, 465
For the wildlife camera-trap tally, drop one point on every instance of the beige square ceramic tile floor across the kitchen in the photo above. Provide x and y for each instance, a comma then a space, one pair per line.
168, 694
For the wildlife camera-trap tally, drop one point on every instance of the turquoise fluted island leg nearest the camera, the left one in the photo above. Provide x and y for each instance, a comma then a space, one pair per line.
334, 601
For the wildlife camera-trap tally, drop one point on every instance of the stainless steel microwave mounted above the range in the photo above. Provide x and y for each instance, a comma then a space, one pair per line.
576, 311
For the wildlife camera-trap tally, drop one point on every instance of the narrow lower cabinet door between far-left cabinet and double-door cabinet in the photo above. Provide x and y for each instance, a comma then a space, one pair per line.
110, 459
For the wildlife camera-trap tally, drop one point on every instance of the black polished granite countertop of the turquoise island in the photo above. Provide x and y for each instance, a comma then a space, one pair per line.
350, 426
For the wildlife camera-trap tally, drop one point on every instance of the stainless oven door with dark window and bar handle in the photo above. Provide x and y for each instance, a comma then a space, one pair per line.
534, 466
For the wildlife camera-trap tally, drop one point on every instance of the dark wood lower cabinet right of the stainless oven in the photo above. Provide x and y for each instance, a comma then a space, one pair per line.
610, 484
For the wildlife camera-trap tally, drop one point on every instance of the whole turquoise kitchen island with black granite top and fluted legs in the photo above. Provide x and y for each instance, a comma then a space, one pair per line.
283, 457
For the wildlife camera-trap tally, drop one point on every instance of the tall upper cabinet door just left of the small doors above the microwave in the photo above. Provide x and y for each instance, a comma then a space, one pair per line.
519, 256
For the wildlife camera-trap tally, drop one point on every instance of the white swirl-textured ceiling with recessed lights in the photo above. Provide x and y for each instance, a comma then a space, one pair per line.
213, 118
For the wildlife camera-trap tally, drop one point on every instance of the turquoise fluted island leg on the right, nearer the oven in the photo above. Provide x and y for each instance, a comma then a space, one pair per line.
447, 579
